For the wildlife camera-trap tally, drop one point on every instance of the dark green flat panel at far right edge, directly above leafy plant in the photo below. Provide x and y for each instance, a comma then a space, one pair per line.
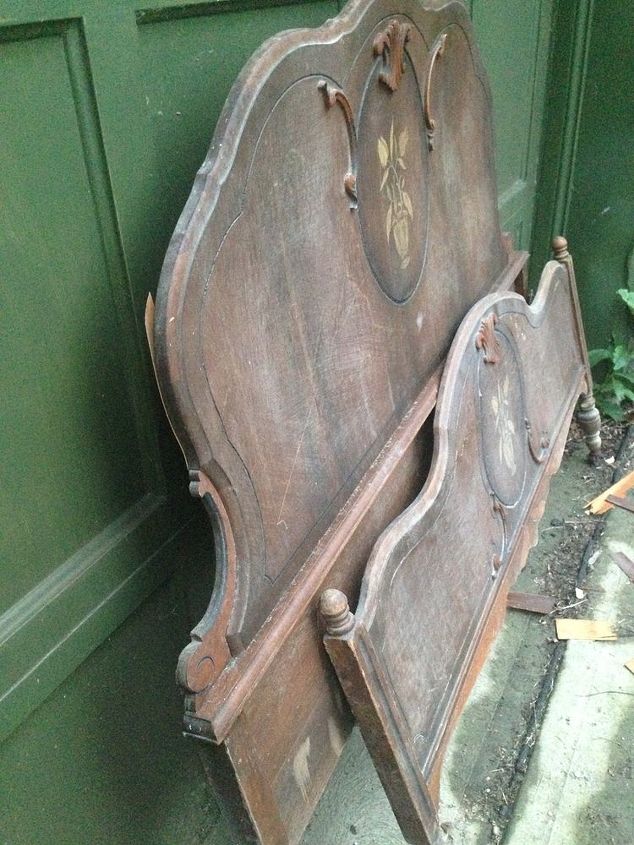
599, 220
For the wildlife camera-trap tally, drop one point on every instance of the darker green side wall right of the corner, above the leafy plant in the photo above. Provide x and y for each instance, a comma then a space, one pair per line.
586, 188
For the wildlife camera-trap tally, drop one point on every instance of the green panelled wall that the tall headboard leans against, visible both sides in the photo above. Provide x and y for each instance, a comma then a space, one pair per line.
106, 112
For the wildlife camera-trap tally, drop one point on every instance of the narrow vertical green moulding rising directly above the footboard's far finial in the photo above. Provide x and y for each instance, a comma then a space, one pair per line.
576, 92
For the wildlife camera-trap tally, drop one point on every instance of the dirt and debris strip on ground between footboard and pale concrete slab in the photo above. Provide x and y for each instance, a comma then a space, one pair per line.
529, 662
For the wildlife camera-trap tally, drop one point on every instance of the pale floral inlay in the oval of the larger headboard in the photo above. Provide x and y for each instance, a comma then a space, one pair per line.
399, 208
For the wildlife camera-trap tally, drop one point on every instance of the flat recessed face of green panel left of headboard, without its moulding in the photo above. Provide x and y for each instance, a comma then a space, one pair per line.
63, 374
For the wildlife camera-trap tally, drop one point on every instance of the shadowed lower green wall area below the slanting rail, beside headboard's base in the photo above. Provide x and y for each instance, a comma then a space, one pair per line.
101, 763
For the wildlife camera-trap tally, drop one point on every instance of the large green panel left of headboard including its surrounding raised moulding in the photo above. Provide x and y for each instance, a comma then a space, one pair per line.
83, 506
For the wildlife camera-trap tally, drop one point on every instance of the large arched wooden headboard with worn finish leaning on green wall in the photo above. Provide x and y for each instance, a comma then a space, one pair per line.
341, 226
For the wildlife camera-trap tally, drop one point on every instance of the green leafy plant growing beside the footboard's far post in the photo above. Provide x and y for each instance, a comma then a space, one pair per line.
616, 391
